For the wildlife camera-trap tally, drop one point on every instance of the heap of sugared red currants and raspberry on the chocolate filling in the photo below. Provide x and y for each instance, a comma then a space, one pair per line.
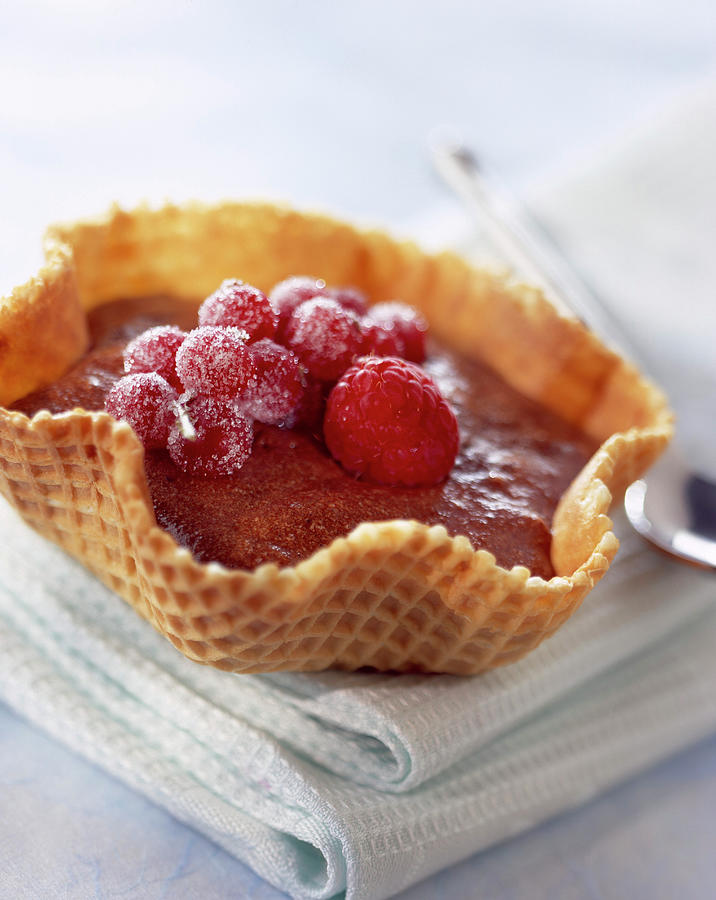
254, 358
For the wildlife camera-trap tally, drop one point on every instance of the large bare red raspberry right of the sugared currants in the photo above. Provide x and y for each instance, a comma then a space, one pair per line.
387, 420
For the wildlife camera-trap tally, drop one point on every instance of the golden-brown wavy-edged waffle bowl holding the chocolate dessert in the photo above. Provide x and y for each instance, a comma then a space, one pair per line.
394, 595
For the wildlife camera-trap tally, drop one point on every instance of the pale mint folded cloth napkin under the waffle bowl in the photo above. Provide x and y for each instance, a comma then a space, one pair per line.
360, 784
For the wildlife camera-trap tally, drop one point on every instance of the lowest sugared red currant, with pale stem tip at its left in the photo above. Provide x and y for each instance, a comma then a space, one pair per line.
222, 440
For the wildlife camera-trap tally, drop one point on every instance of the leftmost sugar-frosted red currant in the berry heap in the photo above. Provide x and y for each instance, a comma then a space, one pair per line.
146, 401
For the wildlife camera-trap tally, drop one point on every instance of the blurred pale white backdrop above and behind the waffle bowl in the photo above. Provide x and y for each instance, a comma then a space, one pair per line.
324, 104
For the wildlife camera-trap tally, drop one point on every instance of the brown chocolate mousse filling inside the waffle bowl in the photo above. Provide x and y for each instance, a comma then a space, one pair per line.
291, 498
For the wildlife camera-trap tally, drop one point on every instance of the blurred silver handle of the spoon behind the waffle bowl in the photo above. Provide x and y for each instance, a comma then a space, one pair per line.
525, 245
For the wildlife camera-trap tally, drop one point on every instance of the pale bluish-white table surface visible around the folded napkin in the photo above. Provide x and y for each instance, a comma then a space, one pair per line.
326, 105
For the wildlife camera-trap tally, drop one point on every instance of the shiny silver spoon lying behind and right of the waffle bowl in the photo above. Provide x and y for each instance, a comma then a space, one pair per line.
673, 507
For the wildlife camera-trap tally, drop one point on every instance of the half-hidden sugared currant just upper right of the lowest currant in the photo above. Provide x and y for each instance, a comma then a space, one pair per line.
280, 383
